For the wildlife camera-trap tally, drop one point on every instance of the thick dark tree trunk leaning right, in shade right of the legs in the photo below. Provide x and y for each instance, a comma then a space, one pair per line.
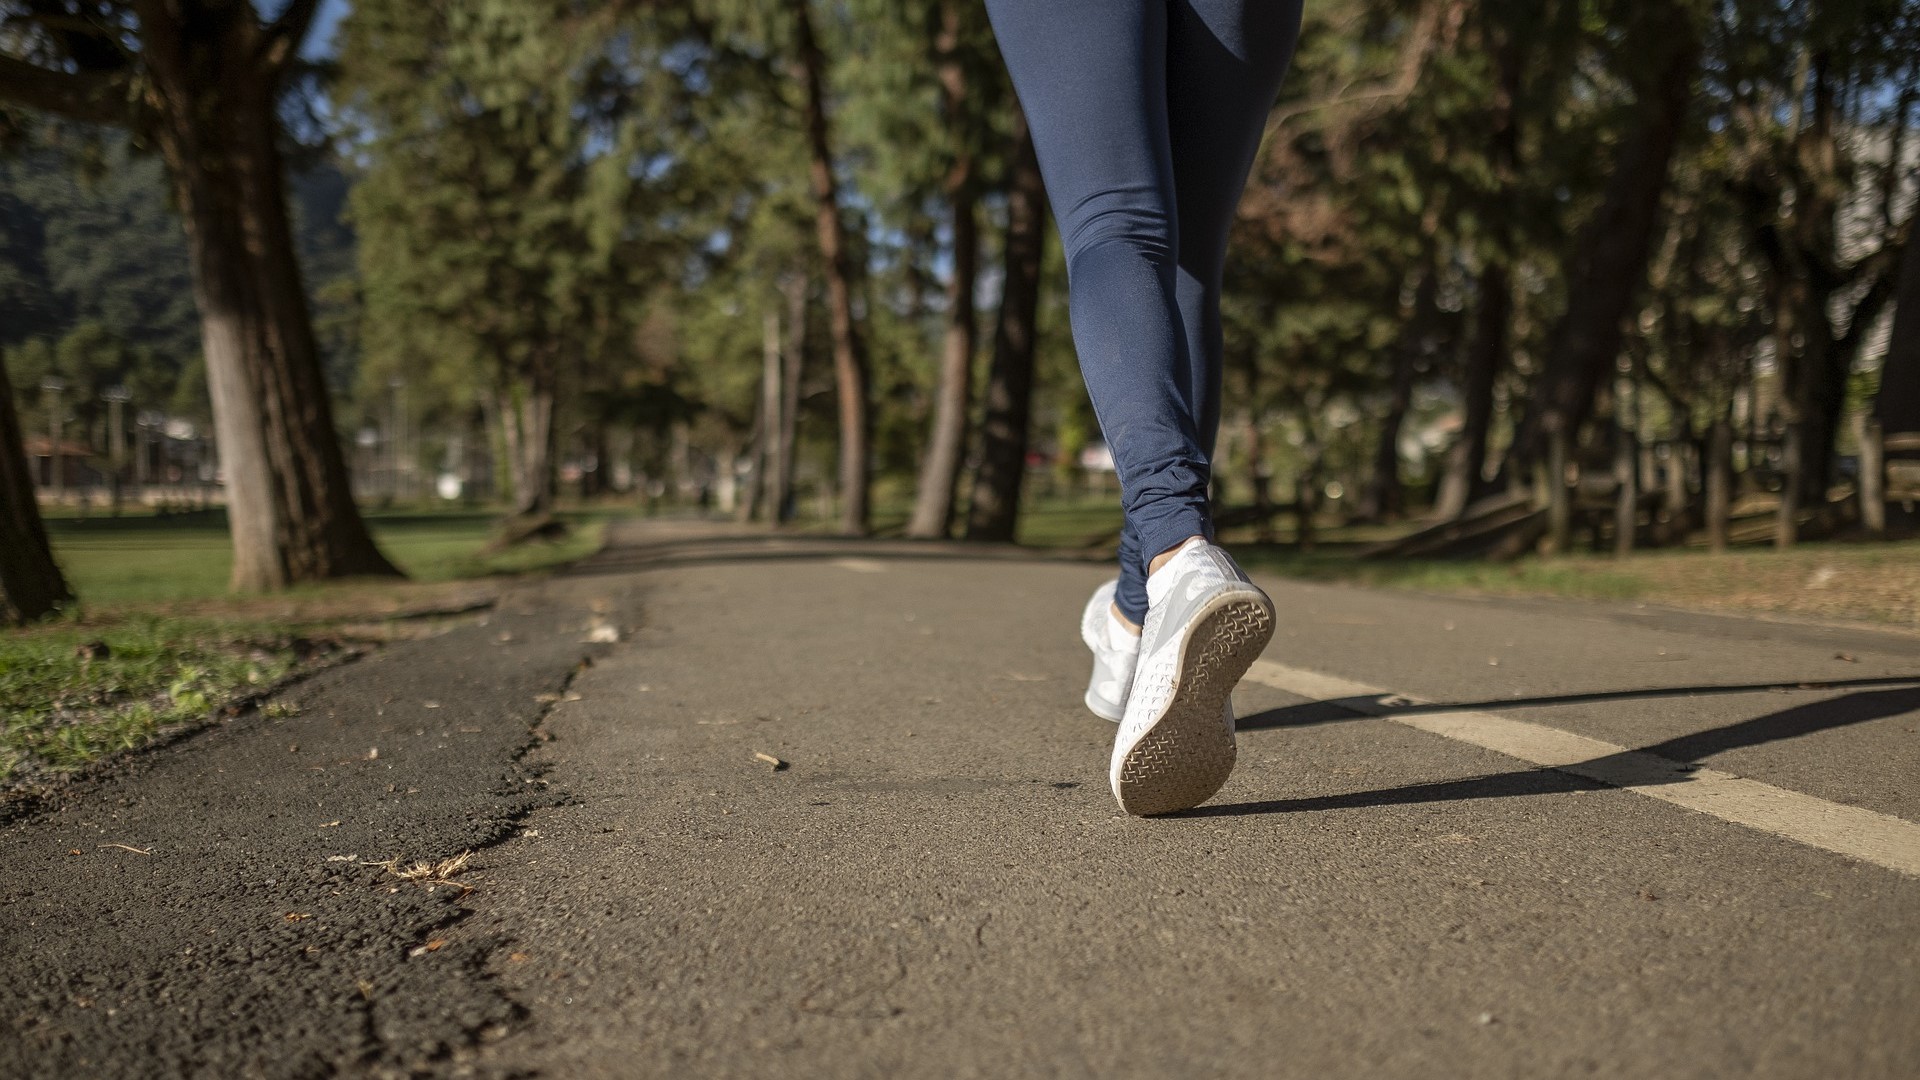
1612, 260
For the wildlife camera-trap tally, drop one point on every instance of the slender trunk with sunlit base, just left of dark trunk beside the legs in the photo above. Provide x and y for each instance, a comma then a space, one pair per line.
940, 472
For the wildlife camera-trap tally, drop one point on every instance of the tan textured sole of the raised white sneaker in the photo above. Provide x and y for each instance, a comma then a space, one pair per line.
1189, 752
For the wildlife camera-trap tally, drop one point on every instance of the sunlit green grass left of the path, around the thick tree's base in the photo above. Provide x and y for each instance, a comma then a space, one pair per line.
156, 641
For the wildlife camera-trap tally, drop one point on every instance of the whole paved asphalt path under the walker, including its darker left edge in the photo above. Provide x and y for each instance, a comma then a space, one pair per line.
1466, 839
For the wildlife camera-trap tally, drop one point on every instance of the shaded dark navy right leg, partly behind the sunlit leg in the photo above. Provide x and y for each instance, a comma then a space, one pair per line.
1226, 61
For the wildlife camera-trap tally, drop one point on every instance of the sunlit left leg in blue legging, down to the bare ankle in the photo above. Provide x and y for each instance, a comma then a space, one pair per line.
1093, 78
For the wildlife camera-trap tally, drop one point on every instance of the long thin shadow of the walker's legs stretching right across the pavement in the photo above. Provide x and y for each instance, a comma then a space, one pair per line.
1662, 764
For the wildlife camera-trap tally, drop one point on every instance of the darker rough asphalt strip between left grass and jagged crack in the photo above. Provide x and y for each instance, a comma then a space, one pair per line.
247, 945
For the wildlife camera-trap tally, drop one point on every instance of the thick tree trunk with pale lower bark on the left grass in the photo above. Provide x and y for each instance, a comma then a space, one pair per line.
289, 497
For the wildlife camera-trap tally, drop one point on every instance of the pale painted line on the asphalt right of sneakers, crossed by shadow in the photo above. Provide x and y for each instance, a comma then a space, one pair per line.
1858, 833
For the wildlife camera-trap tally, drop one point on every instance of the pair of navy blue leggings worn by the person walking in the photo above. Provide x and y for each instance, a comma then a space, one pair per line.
1147, 116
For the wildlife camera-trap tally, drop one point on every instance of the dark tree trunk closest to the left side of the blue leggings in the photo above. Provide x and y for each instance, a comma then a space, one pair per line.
1003, 460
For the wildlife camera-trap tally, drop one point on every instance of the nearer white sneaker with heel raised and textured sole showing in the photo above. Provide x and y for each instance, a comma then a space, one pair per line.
1205, 627
